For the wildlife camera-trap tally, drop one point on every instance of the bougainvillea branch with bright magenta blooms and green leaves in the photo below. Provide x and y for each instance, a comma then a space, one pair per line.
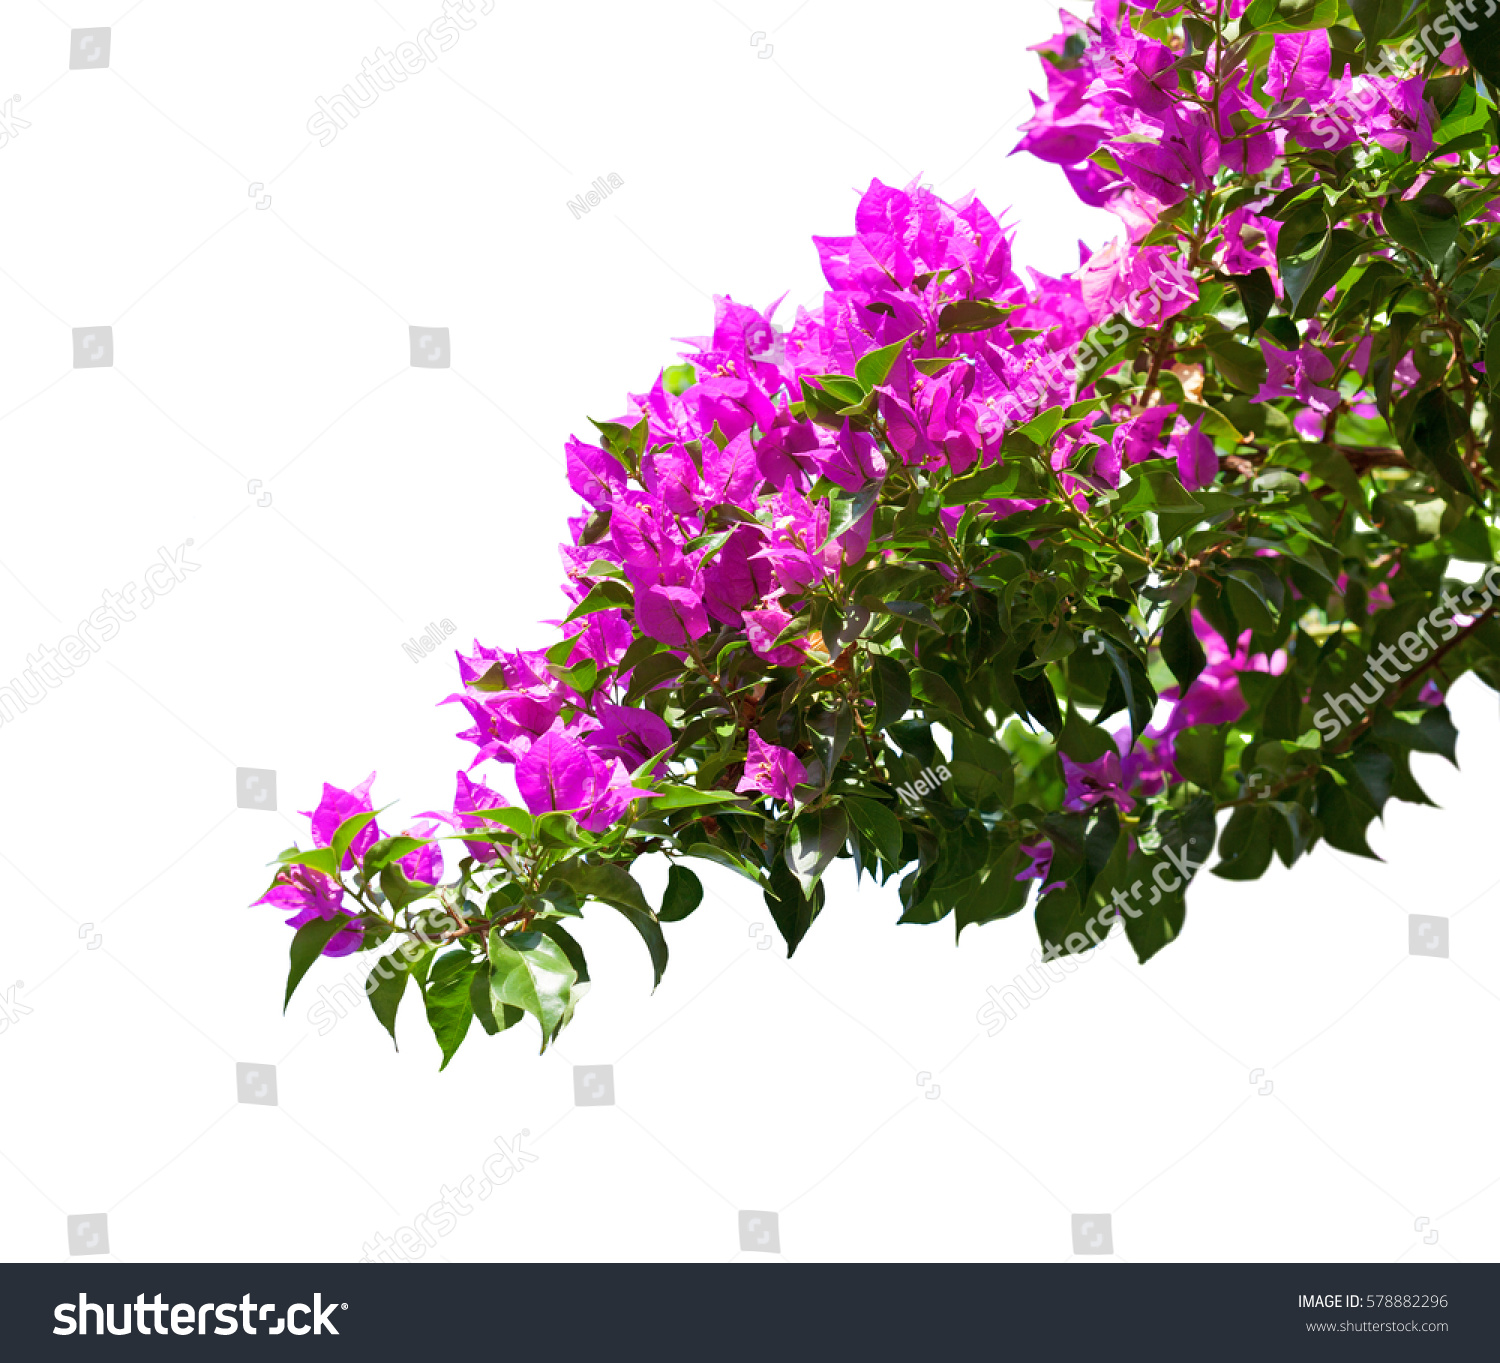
1027, 593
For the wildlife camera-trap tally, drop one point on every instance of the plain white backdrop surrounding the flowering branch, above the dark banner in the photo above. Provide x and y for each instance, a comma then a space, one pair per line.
851, 1091
